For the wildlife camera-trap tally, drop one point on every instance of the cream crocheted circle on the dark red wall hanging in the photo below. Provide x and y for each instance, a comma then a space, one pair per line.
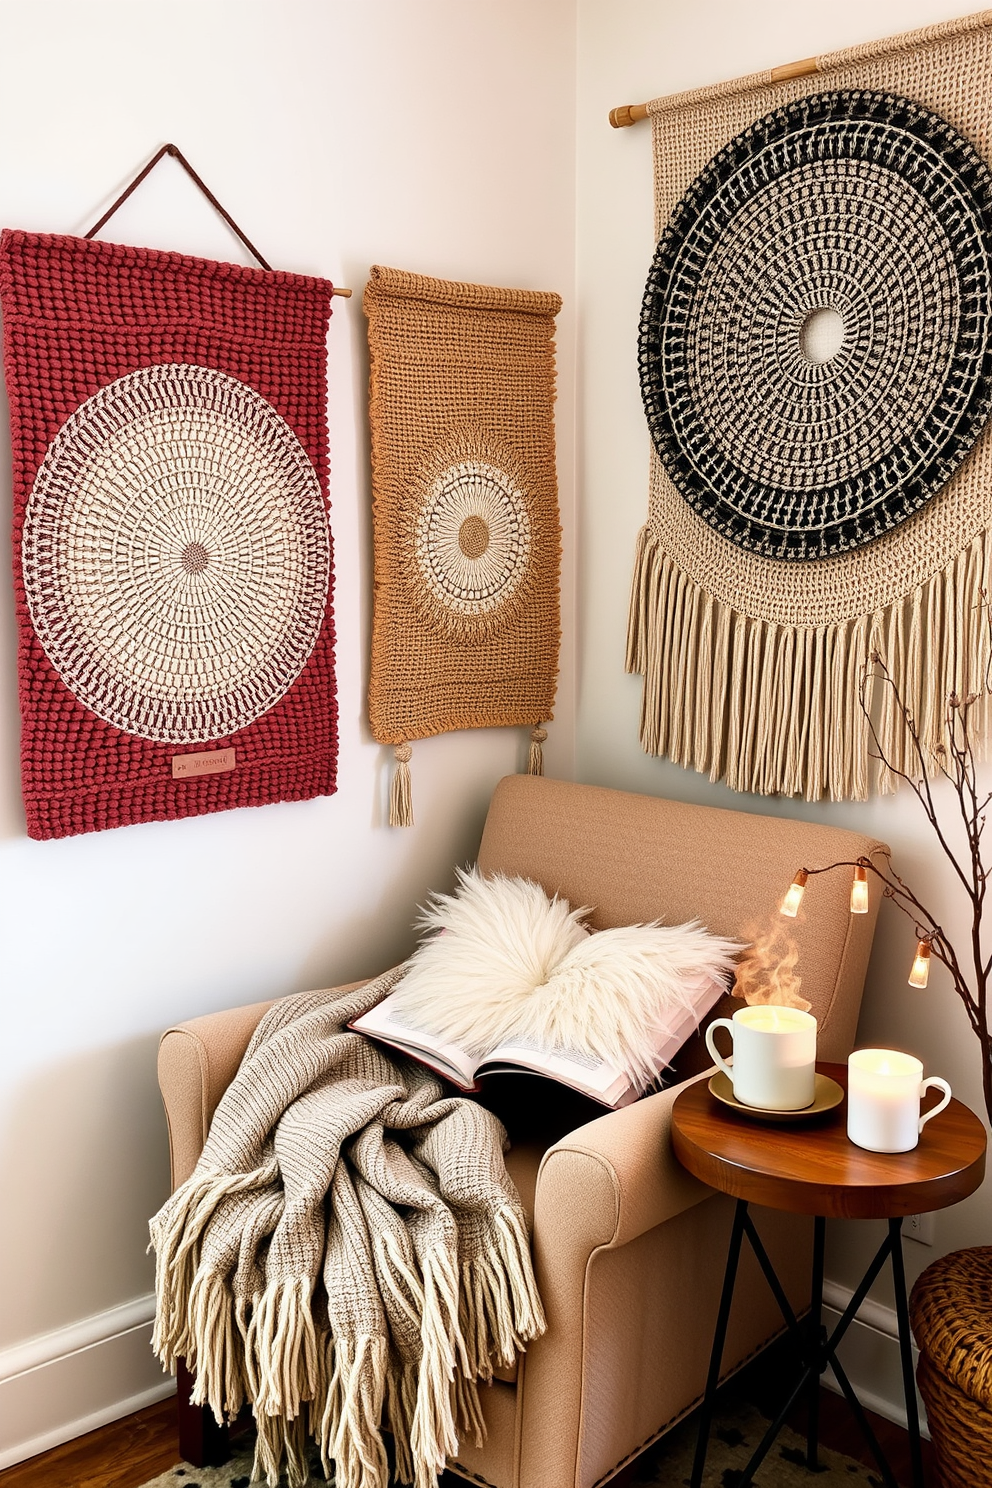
176, 554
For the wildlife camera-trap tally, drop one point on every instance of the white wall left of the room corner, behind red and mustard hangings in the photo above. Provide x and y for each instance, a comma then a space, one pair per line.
437, 138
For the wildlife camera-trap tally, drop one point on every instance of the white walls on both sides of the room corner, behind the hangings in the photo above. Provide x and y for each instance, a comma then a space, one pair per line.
438, 136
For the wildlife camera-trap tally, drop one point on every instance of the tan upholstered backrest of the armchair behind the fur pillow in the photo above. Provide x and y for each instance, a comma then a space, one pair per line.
640, 858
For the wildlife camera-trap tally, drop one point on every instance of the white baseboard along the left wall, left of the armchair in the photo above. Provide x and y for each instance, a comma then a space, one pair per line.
72, 1382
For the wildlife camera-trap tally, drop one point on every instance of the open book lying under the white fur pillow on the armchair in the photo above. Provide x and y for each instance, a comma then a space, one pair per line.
603, 1083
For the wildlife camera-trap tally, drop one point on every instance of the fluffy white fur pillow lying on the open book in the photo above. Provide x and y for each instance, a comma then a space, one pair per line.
506, 961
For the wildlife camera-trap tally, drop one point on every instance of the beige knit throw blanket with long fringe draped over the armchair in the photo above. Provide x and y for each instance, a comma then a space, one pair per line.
349, 1255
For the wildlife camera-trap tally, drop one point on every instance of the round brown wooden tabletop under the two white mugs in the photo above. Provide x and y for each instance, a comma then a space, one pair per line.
810, 1167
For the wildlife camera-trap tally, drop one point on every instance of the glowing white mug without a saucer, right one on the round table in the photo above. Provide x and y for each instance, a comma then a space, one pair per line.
884, 1094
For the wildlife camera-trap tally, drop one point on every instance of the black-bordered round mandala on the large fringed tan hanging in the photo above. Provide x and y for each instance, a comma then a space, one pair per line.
862, 205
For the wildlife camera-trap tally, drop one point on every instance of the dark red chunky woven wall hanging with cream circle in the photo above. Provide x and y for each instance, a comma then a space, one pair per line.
170, 530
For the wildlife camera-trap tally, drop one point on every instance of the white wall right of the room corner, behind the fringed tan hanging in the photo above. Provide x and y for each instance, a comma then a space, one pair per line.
631, 51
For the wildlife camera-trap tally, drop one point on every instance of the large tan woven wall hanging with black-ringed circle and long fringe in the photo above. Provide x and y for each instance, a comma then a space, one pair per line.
807, 511
